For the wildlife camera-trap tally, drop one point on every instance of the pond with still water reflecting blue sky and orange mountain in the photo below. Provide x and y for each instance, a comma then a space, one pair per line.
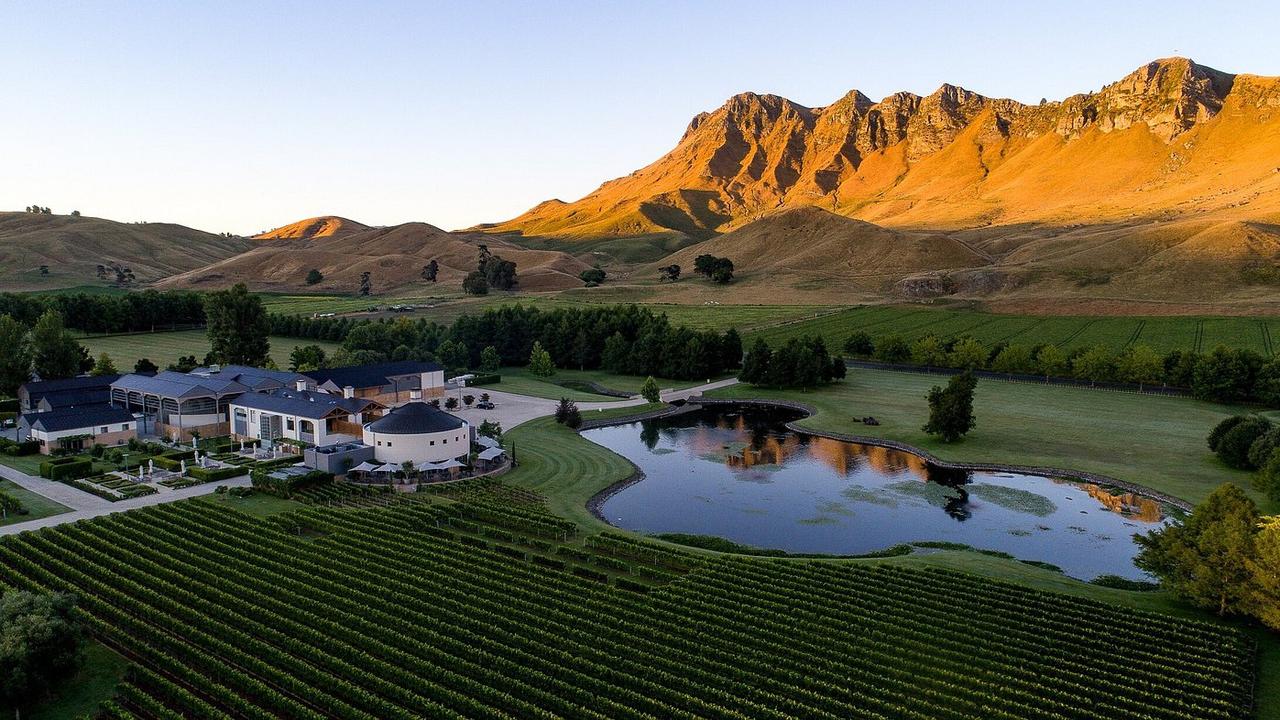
739, 473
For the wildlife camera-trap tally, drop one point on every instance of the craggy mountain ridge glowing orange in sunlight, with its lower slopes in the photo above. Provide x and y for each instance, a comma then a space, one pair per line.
1163, 186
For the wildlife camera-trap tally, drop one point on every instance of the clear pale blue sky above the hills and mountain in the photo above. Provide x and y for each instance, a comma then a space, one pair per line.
241, 117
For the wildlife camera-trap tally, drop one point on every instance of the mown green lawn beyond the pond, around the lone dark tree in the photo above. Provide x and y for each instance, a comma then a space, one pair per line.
1153, 441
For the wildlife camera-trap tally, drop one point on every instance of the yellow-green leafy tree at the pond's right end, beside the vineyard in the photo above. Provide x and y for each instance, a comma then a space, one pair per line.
1206, 559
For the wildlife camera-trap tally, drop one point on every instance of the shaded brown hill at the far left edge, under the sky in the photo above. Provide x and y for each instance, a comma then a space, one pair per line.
72, 248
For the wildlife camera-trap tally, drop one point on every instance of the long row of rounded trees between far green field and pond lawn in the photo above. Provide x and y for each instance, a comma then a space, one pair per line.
1223, 375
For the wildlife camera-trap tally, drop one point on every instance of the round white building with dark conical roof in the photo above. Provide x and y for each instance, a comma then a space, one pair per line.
418, 432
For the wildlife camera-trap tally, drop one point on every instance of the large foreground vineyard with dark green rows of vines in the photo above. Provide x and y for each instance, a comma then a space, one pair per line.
487, 607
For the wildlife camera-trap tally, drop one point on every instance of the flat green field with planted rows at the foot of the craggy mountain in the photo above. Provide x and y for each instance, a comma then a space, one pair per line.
1162, 334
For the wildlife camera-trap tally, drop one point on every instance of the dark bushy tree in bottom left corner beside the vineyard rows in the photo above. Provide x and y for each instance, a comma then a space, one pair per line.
42, 642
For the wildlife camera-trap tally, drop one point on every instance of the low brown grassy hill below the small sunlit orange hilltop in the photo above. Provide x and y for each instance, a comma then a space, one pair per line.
394, 256
